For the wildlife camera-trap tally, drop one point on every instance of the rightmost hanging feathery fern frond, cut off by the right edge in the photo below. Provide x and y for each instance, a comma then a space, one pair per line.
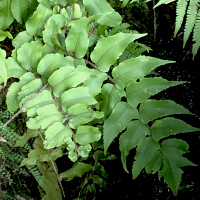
196, 36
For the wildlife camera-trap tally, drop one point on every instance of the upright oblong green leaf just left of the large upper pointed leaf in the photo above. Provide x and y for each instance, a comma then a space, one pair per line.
77, 40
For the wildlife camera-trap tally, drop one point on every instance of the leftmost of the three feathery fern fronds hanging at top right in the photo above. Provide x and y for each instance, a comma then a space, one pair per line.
180, 13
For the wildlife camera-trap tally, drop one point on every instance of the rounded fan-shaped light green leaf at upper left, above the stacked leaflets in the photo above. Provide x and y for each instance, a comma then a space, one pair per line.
29, 55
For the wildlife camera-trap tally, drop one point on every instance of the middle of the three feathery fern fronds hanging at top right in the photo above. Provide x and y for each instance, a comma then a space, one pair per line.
190, 21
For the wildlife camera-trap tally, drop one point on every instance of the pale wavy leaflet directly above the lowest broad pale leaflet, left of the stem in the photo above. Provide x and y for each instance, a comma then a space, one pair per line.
47, 115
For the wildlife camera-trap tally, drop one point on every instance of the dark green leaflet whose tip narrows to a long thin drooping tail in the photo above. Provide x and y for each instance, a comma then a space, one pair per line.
136, 131
